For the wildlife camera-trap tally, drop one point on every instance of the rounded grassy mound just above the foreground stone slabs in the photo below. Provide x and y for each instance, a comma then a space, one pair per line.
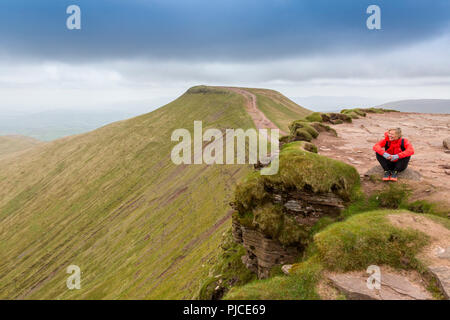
365, 239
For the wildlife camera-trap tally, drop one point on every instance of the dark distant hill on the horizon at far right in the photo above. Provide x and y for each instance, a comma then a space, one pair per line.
419, 105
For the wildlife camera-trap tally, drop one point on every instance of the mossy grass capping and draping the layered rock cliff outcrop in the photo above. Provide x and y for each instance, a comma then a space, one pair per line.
299, 170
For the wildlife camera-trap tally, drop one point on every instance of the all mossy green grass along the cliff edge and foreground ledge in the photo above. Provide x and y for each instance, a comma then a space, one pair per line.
363, 236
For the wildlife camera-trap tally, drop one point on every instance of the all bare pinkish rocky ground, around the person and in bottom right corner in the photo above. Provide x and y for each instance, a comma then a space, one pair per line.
428, 175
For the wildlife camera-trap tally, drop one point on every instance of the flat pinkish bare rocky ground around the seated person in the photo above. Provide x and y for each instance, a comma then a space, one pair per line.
425, 131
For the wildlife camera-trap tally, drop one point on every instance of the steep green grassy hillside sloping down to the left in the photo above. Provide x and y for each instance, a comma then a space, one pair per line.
112, 202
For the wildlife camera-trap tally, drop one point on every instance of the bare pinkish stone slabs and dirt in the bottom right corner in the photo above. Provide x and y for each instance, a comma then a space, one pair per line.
399, 284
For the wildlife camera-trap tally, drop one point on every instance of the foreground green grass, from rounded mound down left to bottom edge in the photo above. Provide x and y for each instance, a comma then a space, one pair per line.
361, 240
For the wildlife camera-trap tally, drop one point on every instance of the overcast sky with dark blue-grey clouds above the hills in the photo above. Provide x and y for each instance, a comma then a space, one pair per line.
144, 53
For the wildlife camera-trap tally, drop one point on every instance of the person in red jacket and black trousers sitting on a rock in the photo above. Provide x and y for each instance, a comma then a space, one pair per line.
393, 153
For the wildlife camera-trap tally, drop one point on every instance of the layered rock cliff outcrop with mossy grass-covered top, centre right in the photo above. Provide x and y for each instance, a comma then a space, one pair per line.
275, 214
